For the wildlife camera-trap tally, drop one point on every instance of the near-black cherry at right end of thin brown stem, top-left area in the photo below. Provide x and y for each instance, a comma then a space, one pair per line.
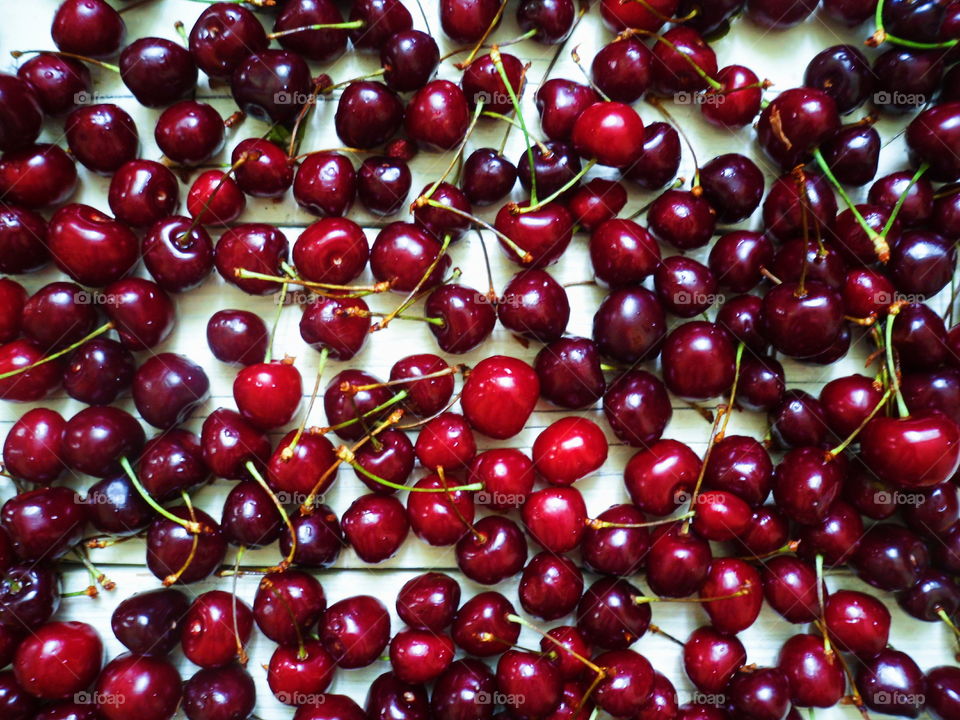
157, 71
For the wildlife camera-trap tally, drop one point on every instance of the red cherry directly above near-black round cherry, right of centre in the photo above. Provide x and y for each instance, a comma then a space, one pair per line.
623, 252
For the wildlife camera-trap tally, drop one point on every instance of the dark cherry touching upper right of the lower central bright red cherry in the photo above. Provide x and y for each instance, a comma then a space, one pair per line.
637, 407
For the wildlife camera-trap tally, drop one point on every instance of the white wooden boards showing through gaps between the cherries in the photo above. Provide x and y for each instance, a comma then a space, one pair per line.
779, 57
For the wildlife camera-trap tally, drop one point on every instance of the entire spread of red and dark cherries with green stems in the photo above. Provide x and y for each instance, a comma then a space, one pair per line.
860, 477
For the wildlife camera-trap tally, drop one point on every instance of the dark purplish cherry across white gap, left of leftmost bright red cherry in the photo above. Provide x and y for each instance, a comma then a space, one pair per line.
167, 388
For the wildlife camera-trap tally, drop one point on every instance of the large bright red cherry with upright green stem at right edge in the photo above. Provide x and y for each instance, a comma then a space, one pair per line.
926, 447
